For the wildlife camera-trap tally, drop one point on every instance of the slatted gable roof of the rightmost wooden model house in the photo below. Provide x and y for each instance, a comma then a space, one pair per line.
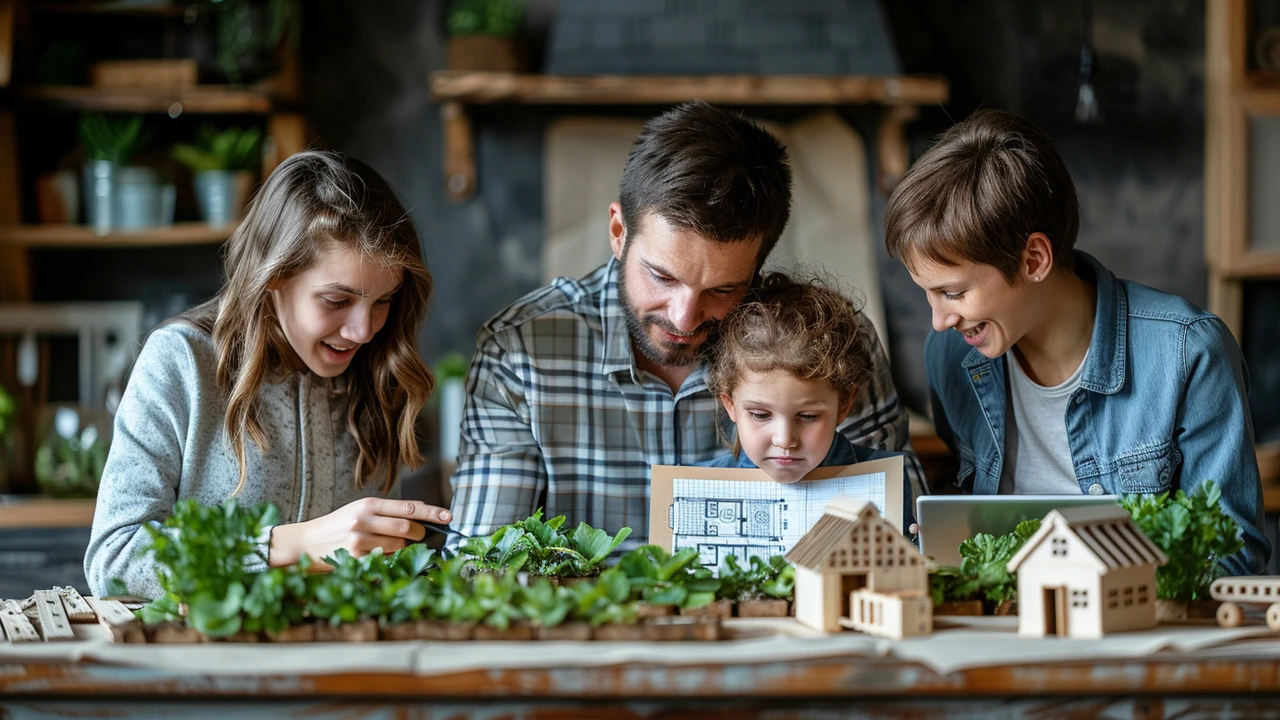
1108, 531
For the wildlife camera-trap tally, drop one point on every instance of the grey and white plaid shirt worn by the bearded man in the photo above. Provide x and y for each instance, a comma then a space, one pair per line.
559, 417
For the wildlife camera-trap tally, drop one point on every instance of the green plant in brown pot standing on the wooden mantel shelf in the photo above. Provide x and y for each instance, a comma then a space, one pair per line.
483, 37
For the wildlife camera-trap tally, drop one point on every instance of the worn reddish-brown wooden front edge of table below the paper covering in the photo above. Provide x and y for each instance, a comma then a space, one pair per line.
842, 687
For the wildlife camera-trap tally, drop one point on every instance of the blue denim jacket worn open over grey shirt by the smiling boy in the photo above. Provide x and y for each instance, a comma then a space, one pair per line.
1162, 405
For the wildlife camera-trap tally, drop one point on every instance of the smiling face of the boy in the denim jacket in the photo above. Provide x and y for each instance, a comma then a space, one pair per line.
979, 303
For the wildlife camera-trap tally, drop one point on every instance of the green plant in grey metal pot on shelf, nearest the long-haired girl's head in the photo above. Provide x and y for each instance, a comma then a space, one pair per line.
222, 163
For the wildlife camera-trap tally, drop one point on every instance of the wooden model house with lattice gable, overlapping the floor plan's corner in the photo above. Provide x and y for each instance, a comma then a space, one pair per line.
856, 569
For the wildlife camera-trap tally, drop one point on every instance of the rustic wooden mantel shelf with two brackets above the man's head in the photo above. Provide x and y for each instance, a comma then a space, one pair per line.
900, 95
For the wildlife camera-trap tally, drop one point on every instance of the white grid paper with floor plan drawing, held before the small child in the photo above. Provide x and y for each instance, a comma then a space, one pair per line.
756, 520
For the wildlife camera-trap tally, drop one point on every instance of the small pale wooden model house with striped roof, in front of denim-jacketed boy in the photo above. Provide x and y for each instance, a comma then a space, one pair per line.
1087, 572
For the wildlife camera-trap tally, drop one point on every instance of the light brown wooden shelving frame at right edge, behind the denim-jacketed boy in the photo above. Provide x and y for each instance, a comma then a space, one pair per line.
1236, 99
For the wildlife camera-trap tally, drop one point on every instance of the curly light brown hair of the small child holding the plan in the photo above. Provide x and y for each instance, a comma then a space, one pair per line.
804, 329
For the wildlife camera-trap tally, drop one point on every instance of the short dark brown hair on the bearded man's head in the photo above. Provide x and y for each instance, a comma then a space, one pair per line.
711, 172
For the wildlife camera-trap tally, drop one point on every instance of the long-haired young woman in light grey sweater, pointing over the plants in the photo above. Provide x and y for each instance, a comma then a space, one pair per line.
298, 385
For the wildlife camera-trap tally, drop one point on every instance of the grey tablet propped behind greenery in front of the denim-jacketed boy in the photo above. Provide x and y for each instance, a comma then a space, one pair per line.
947, 521
